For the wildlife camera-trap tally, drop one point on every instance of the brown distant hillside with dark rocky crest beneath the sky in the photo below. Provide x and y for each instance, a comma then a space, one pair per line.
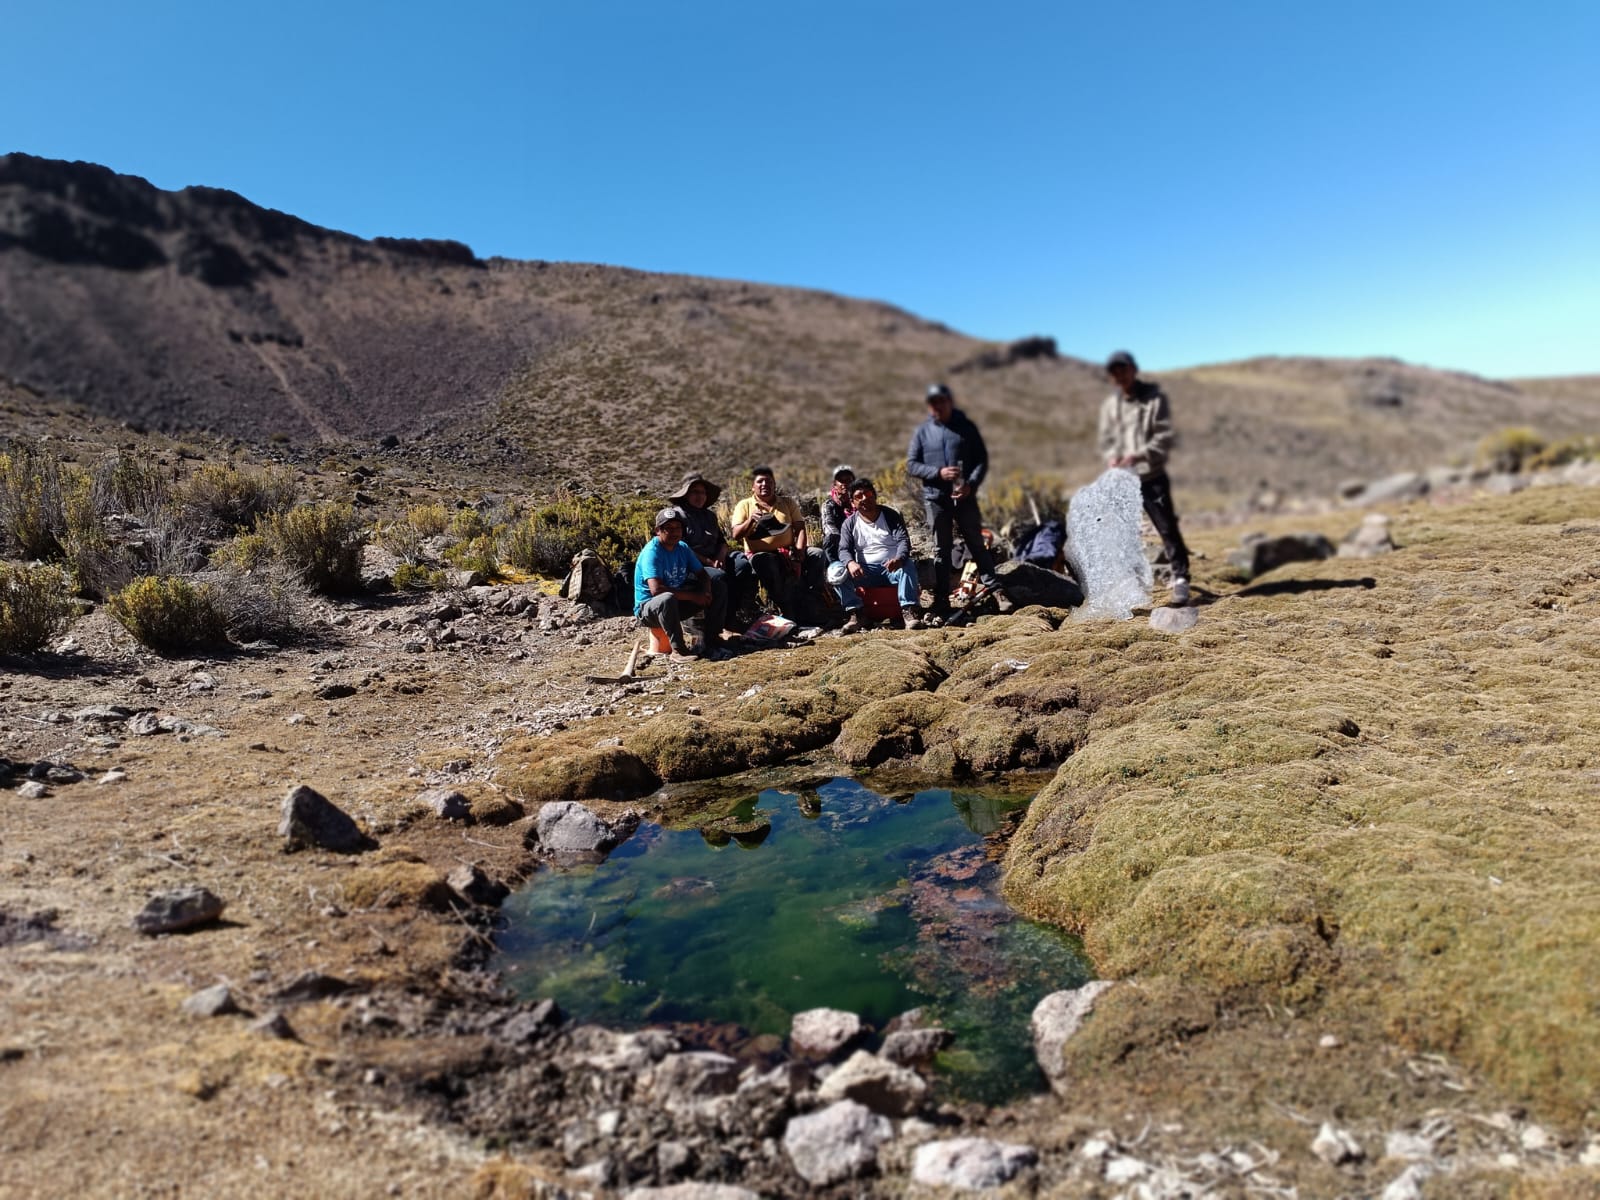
201, 311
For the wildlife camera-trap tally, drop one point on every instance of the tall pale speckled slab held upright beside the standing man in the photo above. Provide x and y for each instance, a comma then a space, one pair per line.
1106, 546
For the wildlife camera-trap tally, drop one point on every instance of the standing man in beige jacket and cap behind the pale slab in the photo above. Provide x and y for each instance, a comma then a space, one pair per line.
1137, 433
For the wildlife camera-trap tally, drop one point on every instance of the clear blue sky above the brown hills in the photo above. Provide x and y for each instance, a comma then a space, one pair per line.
1196, 182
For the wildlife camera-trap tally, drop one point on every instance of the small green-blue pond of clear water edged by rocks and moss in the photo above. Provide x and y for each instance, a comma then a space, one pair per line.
834, 898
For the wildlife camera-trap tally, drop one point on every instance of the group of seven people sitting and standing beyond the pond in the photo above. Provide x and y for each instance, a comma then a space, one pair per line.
695, 569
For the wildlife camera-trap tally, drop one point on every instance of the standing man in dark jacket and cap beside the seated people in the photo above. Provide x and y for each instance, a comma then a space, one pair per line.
950, 457
